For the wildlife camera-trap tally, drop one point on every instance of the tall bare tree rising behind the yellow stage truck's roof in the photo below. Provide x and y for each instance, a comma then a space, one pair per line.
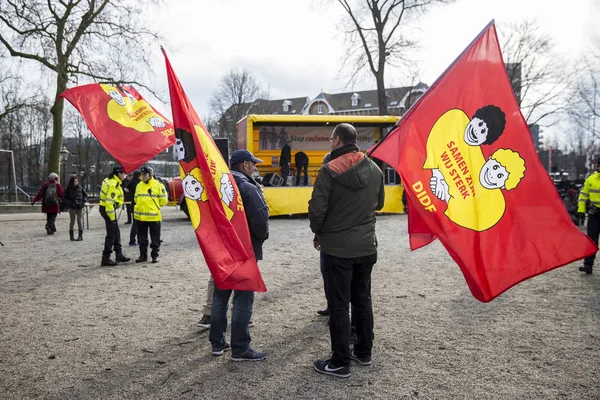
376, 36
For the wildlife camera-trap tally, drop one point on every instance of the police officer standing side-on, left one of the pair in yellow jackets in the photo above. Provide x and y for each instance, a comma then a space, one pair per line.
111, 198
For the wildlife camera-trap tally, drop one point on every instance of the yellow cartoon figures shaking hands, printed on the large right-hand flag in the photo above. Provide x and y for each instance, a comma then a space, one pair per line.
470, 185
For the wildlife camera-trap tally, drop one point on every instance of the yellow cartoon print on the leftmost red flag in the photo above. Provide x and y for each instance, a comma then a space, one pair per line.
128, 109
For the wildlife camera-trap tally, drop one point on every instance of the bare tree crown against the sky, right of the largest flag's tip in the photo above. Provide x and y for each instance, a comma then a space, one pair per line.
541, 78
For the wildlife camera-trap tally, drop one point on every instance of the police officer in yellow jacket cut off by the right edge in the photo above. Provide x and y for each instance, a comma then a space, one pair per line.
591, 192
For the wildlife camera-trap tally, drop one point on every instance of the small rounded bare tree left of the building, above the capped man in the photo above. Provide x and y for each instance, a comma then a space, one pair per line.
237, 90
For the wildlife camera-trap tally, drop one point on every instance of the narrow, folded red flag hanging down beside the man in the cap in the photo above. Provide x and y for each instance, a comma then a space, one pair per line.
212, 198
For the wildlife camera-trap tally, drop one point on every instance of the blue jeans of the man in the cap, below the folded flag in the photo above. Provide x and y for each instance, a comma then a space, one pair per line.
241, 312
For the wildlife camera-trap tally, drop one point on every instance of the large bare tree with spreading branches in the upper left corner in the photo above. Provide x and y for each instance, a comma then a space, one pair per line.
94, 40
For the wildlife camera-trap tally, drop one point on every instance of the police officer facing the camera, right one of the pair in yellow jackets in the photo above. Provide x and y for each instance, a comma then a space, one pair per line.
150, 196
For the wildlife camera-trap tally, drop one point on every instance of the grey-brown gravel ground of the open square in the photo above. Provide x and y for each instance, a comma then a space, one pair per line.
70, 329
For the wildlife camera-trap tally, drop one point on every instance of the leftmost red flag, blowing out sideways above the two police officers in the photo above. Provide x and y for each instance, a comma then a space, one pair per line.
129, 128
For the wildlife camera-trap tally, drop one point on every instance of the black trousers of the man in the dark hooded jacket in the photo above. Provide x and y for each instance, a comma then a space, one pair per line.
349, 280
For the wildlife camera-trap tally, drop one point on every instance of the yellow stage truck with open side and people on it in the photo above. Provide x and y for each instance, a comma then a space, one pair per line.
265, 136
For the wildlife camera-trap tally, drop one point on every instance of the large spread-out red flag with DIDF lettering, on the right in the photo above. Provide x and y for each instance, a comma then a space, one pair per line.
474, 180
